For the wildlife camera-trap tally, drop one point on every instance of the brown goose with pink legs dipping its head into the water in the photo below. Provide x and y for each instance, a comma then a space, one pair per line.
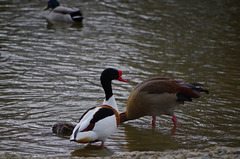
158, 96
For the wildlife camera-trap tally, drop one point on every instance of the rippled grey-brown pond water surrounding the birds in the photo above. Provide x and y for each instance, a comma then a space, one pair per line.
50, 73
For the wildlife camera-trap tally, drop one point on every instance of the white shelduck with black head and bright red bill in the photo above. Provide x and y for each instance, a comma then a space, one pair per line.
99, 122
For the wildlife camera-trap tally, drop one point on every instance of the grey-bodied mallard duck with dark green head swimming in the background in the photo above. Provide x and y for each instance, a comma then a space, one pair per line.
62, 14
